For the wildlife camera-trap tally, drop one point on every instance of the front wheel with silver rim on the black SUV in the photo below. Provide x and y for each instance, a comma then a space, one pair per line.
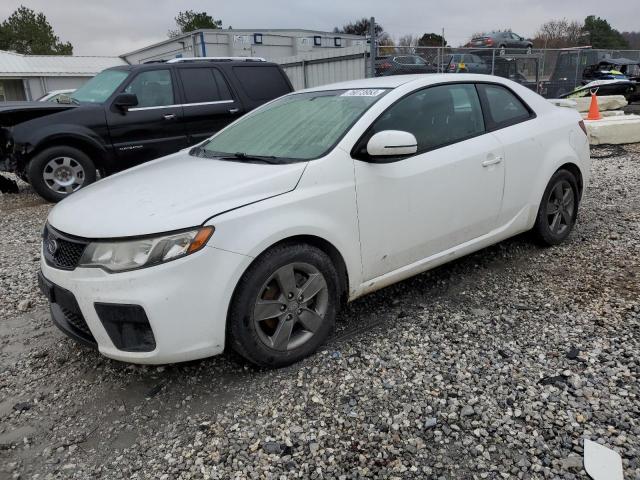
57, 172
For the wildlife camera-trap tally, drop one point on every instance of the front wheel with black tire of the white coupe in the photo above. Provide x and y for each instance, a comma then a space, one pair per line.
255, 339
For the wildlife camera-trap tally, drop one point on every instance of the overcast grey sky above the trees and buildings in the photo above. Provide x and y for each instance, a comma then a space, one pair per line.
114, 27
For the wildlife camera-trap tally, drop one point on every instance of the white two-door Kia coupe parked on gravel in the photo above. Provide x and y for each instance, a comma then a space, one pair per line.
252, 239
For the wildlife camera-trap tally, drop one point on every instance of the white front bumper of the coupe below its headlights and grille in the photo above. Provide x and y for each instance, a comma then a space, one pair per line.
185, 302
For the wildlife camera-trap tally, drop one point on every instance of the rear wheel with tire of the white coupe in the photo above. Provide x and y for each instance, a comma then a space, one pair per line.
558, 209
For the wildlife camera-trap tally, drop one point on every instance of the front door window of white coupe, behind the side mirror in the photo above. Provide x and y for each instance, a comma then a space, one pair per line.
437, 116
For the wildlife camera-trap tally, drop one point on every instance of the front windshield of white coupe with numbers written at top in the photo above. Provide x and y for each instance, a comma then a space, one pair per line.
300, 126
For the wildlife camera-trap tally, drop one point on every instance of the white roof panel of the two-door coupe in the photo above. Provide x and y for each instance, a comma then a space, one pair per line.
395, 81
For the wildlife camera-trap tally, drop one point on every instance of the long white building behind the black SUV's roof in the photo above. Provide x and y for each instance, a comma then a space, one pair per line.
271, 44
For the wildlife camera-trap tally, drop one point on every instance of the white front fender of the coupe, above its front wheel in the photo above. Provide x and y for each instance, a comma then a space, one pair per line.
322, 196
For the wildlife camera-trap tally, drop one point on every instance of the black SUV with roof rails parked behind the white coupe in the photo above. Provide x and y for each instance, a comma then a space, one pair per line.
128, 115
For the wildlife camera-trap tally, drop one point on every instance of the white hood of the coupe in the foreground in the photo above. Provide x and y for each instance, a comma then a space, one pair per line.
174, 192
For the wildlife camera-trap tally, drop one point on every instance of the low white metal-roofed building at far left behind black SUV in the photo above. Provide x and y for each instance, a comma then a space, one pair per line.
27, 77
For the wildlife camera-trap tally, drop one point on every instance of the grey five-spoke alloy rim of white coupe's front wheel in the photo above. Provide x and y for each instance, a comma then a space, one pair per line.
291, 306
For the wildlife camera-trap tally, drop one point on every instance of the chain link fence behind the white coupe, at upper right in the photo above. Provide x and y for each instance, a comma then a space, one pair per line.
552, 73
